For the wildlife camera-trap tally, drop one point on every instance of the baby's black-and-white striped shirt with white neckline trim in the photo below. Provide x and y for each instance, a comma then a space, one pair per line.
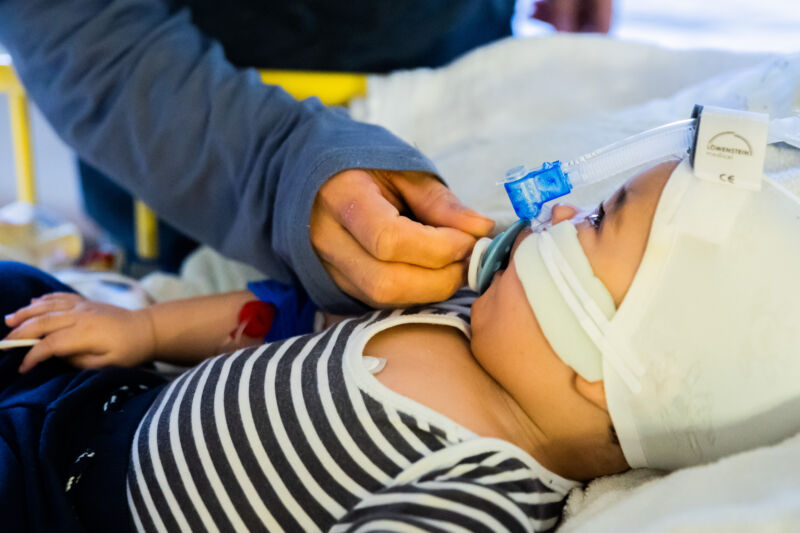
297, 435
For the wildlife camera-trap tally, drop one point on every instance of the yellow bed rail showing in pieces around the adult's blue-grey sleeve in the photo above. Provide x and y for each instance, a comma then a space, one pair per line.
332, 88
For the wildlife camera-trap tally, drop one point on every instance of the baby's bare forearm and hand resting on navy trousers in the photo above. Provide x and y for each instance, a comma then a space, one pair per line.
92, 334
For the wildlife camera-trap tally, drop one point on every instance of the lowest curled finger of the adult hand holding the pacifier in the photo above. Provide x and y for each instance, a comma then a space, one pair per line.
382, 284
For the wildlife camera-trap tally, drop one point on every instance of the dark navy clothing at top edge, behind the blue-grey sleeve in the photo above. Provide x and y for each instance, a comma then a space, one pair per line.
359, 35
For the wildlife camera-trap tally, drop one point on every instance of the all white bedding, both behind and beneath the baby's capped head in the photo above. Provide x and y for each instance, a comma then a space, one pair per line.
529, 101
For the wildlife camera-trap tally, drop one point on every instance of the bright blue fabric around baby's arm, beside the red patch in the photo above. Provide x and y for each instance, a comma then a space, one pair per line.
294, 310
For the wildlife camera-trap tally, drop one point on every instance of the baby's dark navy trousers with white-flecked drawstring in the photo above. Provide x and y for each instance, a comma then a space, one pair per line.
65, 434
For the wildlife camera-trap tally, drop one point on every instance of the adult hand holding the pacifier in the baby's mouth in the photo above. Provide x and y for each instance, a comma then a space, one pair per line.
393, 238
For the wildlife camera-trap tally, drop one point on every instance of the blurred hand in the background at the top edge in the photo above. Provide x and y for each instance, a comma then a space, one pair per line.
575, 15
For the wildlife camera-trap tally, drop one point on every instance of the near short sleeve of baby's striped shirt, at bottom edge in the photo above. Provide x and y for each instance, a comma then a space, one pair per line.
478, 494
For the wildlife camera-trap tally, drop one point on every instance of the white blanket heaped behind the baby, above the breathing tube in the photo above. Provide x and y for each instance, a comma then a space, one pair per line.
525, 101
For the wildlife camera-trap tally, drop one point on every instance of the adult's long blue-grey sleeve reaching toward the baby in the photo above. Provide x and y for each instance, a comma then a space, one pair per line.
140, 93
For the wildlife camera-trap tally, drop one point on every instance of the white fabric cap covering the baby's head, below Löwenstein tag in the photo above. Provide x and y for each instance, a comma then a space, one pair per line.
712, 317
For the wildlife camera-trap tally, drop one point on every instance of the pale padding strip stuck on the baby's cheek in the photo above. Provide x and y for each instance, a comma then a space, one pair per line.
563, 329
